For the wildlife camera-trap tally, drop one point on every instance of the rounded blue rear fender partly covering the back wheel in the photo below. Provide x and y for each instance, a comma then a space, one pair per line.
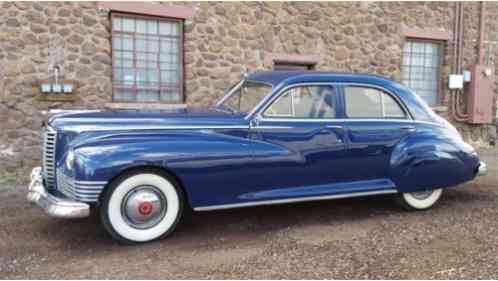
432, 158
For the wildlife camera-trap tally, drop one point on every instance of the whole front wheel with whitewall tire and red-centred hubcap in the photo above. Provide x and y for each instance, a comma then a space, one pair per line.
141, 207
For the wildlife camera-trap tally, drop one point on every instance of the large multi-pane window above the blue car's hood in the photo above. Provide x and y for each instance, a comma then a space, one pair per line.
147, 59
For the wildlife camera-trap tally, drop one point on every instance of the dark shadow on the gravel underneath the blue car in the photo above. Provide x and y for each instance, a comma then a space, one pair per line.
203, 229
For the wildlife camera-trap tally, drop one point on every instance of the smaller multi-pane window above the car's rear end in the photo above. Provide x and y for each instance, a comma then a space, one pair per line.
421, 68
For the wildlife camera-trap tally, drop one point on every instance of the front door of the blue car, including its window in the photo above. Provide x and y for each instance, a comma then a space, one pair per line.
299, 143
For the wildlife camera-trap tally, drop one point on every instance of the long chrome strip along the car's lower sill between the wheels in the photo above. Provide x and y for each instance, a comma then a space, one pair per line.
294, 200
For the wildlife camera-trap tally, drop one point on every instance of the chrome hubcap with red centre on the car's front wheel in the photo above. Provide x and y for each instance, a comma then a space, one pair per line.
143, 207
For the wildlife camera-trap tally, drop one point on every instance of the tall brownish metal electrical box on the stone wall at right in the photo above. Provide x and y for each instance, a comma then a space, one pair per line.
480, 94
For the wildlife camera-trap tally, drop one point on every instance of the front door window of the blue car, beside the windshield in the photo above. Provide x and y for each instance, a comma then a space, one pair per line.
304, 102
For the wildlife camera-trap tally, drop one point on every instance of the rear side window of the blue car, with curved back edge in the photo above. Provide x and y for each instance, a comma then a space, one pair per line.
364, 102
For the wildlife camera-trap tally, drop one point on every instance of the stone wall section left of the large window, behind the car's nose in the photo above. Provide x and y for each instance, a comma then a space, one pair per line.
27, 29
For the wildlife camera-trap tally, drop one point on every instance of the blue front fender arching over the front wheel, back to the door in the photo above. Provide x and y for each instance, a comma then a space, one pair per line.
103, 158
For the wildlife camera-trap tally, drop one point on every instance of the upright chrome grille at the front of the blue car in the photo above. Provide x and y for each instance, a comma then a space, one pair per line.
49, 141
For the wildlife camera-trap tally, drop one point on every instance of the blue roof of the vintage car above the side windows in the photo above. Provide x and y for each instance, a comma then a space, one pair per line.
275, 78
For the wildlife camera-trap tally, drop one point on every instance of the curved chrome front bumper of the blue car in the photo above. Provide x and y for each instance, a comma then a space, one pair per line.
52, 205
